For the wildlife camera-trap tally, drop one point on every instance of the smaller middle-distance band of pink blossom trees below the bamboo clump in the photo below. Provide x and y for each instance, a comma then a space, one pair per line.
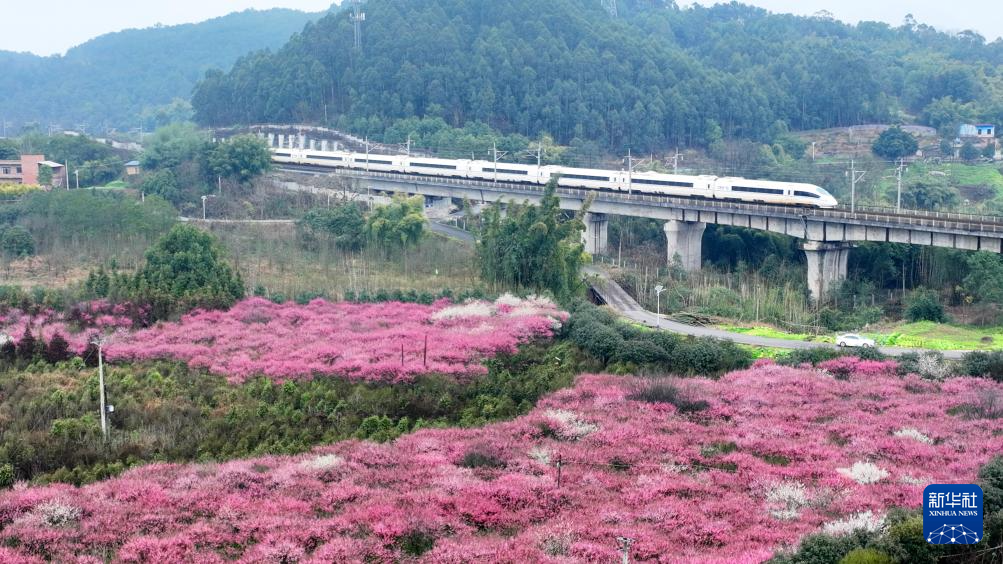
389, 342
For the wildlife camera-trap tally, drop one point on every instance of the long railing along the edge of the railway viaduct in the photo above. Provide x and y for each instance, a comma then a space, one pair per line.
908, 218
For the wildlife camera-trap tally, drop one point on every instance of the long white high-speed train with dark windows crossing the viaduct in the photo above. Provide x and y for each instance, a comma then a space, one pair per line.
658, 184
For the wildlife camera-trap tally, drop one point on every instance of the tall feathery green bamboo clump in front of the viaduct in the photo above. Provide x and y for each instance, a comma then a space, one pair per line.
533, 246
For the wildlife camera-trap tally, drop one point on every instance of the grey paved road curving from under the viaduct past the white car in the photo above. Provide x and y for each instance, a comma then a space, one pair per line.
618, 300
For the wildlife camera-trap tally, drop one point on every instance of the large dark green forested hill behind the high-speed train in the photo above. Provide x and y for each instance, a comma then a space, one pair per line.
656, 77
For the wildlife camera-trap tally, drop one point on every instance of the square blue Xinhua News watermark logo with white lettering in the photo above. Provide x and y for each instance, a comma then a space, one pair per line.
952, 513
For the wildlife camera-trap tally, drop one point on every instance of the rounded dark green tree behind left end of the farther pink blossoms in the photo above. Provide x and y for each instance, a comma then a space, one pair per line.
186, 268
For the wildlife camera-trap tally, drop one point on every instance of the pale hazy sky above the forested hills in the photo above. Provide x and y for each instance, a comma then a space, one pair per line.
71, 23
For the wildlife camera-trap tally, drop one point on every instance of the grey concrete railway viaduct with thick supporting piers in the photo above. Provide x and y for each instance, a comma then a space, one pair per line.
827, 236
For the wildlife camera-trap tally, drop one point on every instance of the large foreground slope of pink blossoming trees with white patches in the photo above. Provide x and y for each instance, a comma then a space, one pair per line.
775, 454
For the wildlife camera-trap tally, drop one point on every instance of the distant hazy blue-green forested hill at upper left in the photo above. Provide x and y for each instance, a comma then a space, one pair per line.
114, 80
